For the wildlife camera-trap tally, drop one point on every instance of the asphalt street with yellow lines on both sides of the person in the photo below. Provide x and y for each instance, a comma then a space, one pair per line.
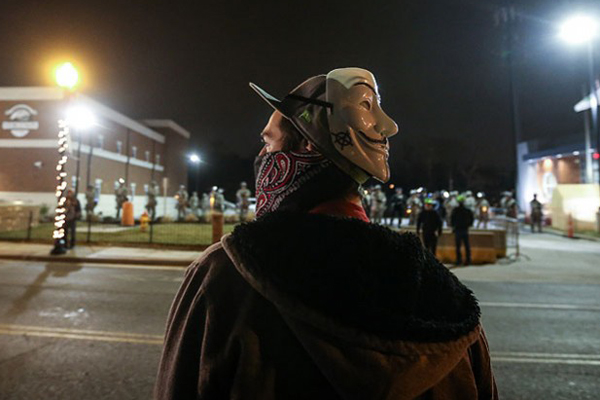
92, 331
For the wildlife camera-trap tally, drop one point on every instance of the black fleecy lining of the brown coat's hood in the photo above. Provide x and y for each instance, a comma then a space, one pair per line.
356, 274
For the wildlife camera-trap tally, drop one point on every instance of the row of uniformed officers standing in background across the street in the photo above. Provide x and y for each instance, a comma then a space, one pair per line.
381, 208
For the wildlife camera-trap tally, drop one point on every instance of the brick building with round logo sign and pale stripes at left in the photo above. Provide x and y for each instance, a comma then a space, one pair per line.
115, 147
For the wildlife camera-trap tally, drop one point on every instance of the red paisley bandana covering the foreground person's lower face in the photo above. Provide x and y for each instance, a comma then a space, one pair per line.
282, 173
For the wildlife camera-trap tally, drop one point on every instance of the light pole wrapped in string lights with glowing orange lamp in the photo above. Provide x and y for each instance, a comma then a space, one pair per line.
66, 77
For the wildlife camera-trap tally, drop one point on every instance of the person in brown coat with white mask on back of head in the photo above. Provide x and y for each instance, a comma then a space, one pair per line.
311, 301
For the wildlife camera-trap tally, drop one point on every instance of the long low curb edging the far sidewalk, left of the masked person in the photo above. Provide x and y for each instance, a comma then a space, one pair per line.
88, 260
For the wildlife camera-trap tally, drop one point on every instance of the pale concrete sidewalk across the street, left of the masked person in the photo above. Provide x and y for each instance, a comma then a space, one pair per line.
97, 254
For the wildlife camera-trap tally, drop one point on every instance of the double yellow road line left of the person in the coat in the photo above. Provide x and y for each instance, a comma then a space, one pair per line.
80, 334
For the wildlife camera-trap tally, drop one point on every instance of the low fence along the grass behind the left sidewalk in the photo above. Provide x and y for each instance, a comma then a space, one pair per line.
191, 232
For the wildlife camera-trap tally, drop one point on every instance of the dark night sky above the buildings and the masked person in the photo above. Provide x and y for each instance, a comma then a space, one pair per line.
440, 66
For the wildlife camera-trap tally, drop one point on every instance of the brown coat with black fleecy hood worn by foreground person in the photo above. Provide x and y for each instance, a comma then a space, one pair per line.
263, 315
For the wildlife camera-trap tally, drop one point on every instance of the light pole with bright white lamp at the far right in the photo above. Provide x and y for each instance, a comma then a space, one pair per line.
577, 30
